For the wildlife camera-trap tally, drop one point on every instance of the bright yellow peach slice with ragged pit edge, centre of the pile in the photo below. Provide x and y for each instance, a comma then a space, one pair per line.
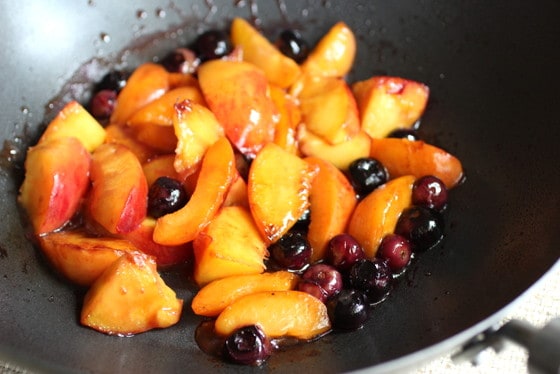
278, 187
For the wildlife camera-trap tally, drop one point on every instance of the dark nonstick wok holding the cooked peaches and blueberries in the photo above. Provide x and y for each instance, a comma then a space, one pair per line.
492, 69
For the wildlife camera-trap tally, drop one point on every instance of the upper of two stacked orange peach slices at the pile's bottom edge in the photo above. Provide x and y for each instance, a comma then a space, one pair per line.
213, 298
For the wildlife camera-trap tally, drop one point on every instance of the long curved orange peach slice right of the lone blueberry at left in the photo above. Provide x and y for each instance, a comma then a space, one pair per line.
215, 178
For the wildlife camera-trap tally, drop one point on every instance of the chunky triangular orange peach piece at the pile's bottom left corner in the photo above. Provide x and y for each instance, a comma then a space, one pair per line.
129, 298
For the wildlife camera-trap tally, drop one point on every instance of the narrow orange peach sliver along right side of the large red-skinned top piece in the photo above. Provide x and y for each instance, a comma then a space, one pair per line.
289, 117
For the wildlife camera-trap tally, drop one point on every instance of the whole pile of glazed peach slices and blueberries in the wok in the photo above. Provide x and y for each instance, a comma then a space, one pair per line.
298, 196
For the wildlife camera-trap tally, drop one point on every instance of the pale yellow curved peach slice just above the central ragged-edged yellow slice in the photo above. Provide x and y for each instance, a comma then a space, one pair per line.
340, 155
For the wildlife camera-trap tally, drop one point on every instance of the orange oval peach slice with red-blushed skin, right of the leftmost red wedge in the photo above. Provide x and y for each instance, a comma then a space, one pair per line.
119, 194
